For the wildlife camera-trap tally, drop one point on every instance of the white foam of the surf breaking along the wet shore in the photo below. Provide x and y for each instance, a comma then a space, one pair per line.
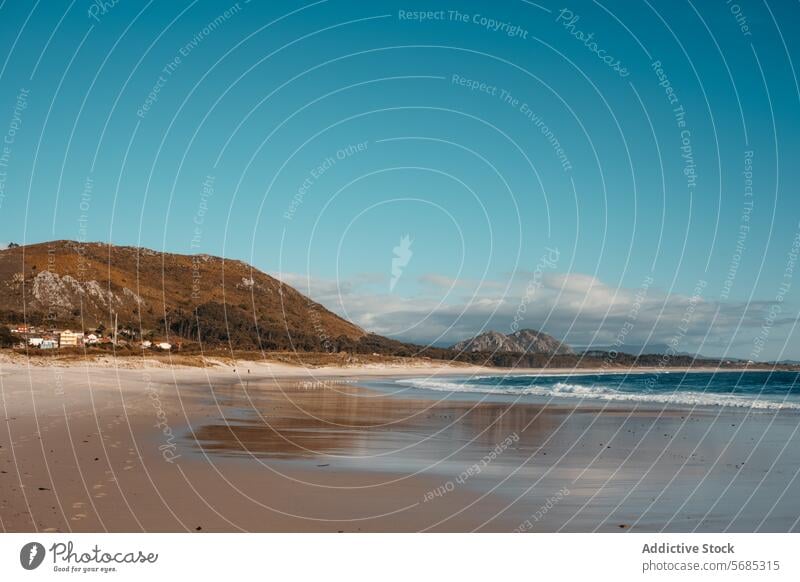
598, 392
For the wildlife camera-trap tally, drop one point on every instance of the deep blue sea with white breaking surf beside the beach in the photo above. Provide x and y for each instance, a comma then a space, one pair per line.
758, 390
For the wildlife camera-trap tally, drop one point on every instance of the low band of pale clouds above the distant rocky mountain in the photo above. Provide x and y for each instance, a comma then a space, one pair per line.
577, 308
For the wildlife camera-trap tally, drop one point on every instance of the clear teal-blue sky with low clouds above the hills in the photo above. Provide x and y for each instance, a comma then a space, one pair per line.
309, 138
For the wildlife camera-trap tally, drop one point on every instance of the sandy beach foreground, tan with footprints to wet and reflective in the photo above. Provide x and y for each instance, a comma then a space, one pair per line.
176, 449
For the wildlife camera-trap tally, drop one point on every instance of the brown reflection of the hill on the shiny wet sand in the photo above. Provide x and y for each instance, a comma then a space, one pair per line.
292, 421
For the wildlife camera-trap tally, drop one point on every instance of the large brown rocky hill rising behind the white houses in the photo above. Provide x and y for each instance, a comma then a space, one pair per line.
195, 297
